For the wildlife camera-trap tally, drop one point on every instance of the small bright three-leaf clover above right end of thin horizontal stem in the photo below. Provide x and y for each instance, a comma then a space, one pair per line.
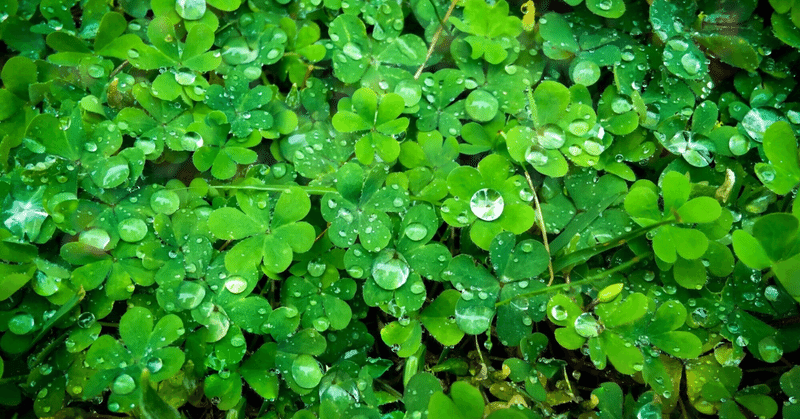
366, 113
